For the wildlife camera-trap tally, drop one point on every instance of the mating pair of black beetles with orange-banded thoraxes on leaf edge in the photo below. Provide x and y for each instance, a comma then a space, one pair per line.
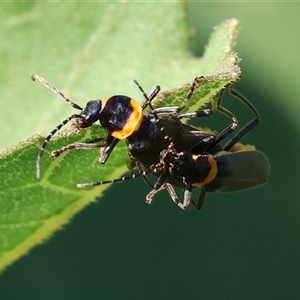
159, 143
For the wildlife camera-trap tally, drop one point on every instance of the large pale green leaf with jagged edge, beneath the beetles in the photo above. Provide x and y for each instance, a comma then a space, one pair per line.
104, 49
